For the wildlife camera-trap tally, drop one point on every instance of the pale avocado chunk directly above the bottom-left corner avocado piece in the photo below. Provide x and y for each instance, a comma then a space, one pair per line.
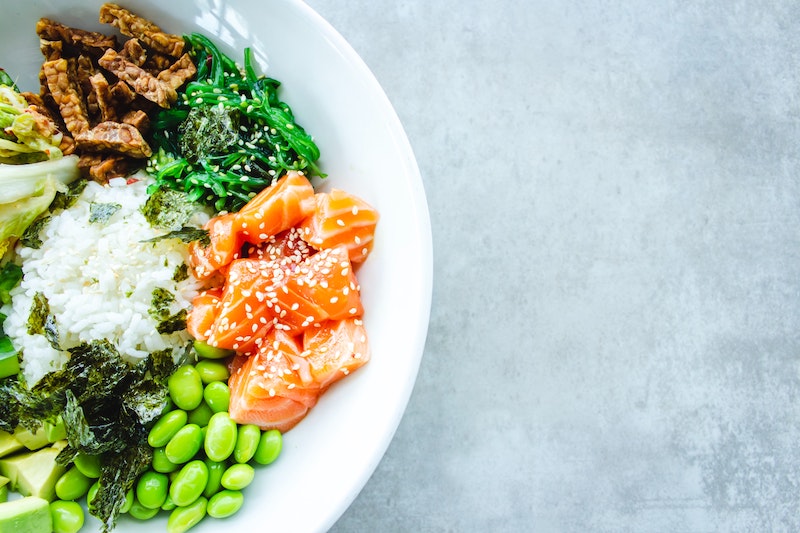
34, 473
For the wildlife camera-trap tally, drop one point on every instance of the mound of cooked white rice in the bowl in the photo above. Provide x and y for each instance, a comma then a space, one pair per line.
99, 280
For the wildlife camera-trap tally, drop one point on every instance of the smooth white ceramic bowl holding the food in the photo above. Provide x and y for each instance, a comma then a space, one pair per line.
328, 458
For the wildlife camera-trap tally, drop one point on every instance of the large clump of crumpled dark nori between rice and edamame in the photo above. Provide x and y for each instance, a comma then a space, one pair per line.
108, 407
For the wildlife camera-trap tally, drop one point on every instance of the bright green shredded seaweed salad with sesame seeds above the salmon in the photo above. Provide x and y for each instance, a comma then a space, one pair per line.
229, 135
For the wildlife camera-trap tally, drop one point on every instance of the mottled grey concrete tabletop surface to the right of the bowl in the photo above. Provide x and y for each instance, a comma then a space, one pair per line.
615, 328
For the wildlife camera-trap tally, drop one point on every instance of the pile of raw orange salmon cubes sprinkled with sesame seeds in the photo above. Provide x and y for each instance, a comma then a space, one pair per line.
283, 295
